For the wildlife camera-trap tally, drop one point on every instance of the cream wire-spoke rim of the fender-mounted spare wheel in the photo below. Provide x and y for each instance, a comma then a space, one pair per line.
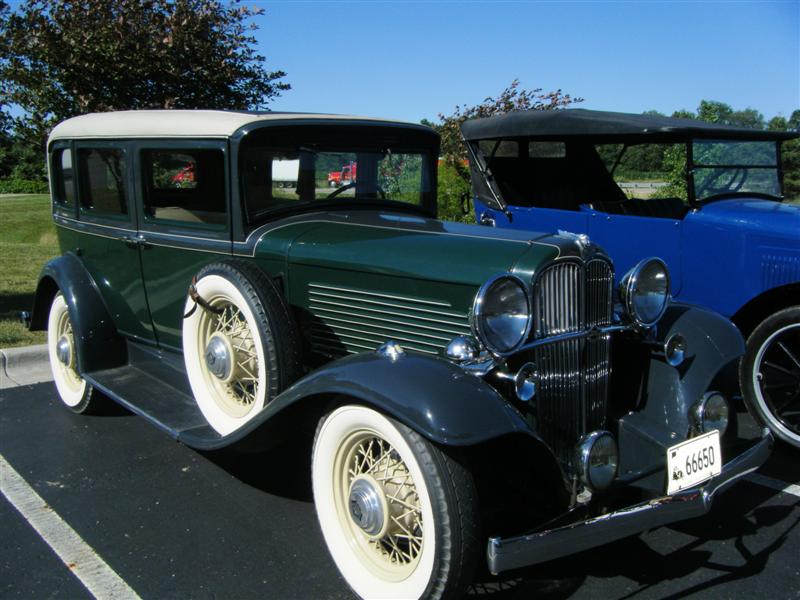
237, 391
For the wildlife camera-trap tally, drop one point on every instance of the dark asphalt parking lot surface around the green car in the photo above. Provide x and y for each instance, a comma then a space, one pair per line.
175, 523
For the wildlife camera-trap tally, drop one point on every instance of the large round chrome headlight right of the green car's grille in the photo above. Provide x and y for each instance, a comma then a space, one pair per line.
645, 291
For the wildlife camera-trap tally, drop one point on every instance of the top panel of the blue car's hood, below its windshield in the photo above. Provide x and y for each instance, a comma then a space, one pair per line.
755, 216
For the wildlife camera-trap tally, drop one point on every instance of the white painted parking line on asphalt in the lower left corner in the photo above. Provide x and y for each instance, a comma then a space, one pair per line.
79, 557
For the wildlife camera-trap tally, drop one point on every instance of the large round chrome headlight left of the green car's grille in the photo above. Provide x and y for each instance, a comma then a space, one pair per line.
501, 316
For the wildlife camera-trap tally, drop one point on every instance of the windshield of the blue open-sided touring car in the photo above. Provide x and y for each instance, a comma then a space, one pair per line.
721, 168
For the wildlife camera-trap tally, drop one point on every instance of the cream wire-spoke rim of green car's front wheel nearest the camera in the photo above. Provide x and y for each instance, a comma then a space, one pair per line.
393, 553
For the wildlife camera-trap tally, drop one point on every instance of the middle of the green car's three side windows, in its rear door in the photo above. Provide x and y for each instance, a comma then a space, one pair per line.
102, 185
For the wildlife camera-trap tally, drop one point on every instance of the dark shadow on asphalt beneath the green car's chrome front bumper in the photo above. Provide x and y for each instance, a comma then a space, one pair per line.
735, 518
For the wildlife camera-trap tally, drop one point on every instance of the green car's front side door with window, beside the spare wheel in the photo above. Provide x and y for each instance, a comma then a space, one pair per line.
184, 223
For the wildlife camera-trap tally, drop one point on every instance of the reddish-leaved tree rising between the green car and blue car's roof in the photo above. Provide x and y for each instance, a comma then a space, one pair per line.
453, 171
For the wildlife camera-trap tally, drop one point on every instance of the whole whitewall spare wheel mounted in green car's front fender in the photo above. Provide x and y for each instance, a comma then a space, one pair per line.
240, 345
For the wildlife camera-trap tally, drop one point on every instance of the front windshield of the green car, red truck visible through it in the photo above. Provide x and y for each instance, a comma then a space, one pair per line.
308, 170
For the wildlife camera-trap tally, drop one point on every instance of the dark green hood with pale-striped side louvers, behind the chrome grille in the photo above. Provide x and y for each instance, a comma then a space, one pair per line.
358, 278
